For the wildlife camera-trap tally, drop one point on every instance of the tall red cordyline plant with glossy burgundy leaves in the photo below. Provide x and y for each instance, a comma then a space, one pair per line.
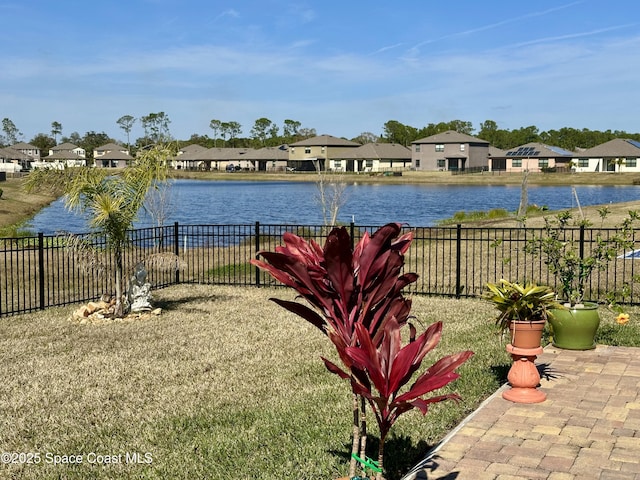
358, 303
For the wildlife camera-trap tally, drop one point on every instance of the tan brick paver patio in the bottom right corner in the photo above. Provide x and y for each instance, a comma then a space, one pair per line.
587, 428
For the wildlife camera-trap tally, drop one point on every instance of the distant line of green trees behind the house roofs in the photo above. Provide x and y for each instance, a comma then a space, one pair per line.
266, 133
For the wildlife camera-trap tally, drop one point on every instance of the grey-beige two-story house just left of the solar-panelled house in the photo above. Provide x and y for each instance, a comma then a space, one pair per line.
450, 150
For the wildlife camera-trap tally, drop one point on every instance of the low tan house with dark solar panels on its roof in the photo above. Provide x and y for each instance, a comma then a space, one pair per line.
534, 157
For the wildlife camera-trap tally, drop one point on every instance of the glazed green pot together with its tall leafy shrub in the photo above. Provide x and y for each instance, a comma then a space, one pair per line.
575, 326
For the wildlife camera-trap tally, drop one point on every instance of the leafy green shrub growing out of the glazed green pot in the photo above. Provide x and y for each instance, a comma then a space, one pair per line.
571, 266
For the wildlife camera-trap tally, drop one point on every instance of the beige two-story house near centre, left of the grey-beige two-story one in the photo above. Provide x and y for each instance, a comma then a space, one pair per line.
316, 152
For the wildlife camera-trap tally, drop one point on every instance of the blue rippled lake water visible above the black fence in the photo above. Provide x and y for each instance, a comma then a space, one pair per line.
232, 202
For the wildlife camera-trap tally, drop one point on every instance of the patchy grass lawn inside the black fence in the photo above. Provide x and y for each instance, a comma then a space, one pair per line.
223, 385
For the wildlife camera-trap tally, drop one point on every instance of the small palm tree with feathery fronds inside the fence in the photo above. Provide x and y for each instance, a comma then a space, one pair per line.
112, 202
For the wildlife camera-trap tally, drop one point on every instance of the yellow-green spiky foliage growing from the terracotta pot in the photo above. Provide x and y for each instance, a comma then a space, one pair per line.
519, 302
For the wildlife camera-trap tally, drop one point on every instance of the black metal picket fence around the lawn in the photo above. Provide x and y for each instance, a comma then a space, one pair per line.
43, 271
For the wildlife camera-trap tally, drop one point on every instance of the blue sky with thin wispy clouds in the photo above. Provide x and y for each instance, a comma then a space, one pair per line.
341, 67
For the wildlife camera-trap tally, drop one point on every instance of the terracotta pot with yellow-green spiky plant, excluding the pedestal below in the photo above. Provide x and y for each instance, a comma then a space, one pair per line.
524, 309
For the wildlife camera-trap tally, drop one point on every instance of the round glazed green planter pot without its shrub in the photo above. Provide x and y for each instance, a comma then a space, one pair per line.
575, 328
